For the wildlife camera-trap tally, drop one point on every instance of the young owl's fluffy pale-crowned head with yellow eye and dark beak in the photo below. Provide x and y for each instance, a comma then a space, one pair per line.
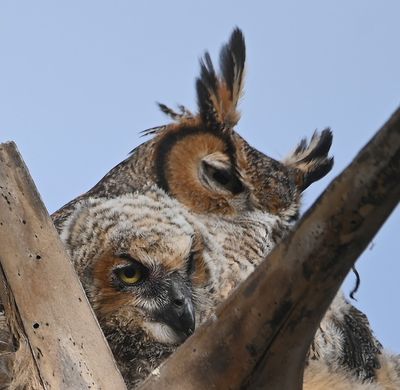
141, 263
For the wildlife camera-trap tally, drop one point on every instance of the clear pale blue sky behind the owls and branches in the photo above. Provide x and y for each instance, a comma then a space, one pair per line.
78, 81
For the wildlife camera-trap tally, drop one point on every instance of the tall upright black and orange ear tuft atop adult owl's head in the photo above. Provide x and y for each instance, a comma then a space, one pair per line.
218, 95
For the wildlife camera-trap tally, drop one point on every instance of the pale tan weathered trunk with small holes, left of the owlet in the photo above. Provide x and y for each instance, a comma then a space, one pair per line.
64, 337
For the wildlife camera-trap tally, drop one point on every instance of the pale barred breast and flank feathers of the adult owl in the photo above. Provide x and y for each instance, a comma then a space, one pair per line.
343, 344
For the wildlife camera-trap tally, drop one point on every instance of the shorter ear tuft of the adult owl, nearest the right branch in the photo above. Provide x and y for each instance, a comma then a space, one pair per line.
311, 159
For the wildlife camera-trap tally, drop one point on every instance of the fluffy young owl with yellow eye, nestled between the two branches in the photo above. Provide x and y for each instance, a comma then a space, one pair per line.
147, 275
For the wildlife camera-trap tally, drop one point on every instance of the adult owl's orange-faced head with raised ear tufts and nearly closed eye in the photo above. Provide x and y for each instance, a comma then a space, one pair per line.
201, 161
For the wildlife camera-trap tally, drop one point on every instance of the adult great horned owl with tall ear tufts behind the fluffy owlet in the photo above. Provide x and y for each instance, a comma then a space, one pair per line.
230, 186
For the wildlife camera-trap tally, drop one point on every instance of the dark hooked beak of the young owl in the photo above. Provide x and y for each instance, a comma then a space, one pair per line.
179, 312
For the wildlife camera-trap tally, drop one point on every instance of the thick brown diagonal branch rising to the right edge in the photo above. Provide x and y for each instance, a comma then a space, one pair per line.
260, 336
